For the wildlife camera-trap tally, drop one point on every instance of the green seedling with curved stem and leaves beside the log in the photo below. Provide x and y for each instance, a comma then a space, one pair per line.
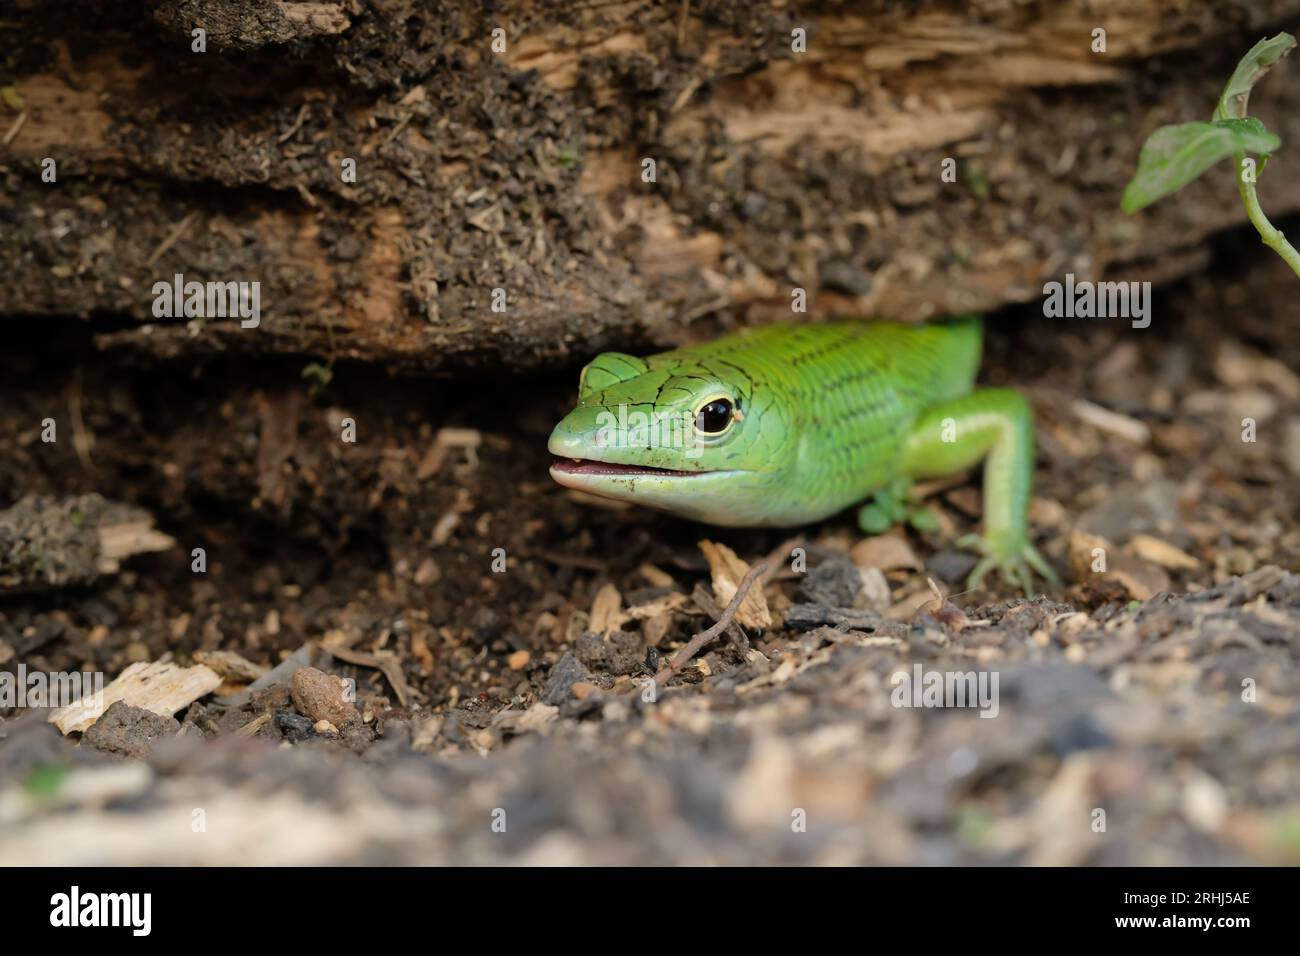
1176, 155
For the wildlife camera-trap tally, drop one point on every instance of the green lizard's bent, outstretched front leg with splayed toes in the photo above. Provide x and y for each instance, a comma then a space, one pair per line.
995, 426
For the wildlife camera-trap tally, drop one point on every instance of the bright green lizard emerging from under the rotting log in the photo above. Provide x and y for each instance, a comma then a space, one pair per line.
790, 425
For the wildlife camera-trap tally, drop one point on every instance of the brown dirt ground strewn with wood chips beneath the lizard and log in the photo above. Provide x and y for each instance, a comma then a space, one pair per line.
1147, 715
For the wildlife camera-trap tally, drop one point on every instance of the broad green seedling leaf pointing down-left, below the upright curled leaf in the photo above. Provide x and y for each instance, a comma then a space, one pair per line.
1176, 155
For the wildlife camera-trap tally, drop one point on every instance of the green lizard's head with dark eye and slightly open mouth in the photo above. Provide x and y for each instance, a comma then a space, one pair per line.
674, 436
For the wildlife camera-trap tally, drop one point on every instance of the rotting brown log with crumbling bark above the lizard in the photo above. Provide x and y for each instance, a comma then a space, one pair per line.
523, 171
